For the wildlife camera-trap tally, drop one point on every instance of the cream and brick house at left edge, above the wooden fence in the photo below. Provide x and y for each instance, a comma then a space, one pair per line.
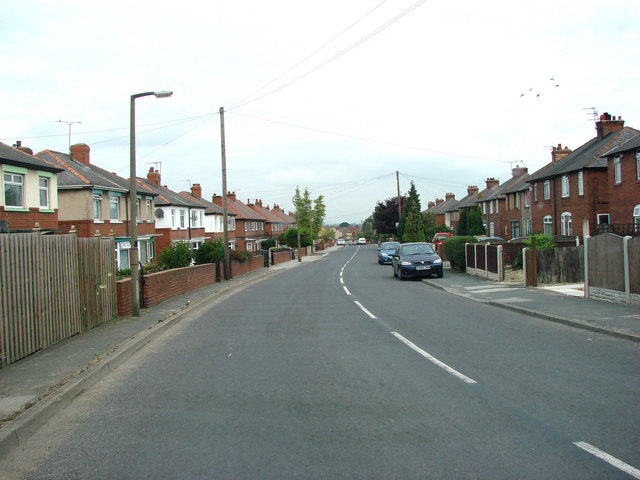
29, 190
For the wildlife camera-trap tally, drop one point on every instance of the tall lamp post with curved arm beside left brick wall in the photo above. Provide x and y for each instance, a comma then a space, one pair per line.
133, 207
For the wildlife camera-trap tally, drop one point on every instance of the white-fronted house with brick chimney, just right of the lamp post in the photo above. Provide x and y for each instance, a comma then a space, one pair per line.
177, 218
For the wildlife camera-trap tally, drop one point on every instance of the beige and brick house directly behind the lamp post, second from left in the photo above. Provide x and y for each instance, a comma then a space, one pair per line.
96, 202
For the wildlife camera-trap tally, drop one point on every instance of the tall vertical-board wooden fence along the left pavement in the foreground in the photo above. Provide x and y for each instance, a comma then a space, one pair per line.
52, 287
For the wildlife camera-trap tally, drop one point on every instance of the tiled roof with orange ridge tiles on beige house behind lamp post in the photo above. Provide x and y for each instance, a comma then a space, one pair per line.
78, 175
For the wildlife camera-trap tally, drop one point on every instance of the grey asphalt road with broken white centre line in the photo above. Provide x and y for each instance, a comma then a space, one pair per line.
338, 370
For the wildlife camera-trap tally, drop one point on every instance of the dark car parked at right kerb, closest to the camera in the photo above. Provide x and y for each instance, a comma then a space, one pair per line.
417, 259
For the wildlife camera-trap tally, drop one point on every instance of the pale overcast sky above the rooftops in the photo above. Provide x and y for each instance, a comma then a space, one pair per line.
333, 96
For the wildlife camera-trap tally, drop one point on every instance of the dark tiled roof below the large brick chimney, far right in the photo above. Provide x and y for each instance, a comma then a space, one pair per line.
588, 155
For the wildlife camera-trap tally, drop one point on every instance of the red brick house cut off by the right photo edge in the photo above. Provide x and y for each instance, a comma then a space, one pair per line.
623, 181
